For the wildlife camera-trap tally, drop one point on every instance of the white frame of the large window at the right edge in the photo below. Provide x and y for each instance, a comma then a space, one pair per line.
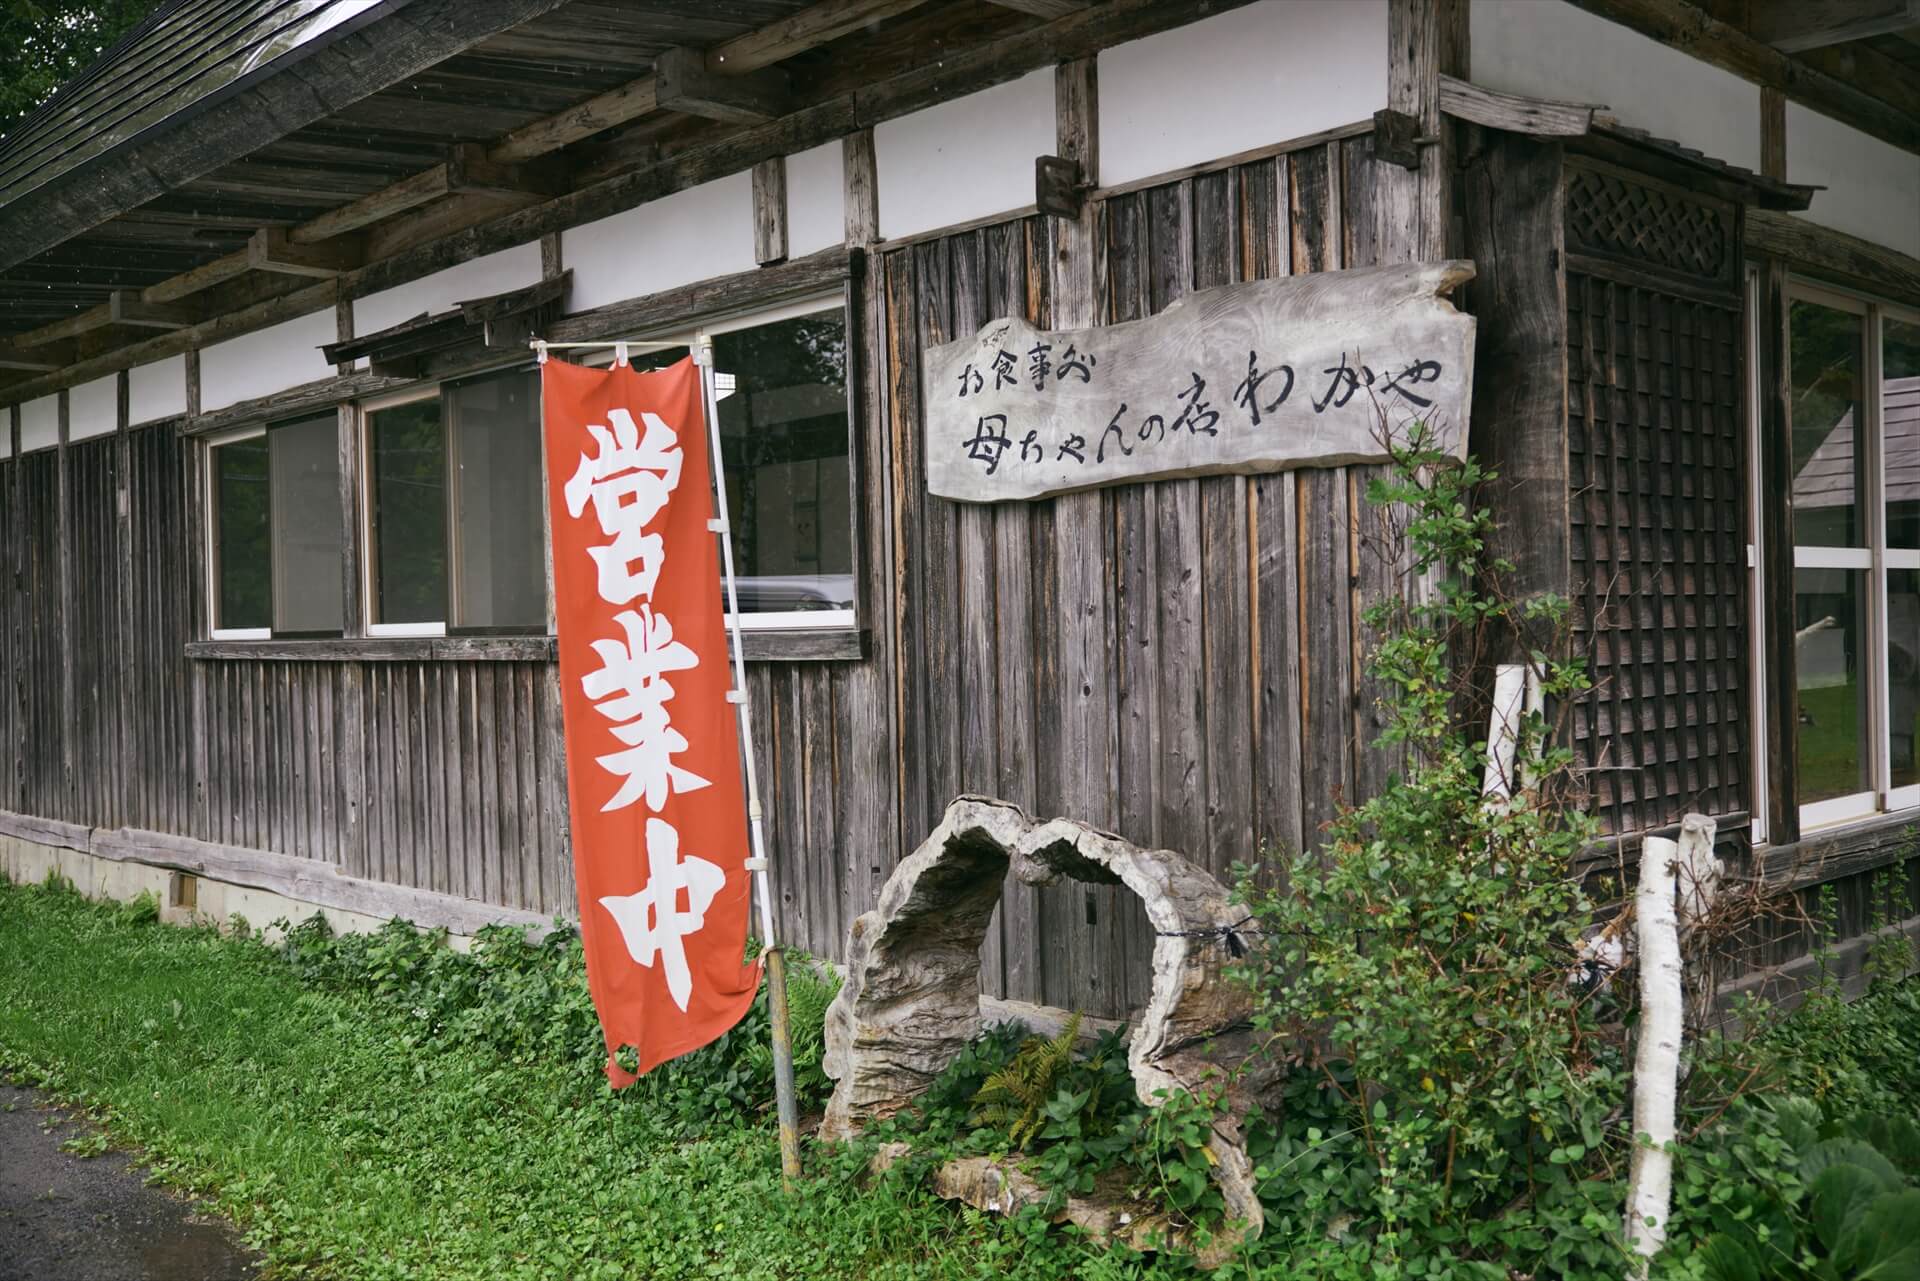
1875, 560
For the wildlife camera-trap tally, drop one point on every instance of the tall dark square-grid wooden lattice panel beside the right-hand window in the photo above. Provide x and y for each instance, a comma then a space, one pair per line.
1656, 462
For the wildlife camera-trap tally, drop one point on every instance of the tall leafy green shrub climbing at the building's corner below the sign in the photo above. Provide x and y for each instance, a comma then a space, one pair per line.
1451, 1092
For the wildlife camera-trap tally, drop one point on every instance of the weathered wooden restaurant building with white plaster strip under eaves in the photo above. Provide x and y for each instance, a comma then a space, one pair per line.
274, 627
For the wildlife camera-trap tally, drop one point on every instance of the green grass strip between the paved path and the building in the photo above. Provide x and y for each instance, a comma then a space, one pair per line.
347, 1148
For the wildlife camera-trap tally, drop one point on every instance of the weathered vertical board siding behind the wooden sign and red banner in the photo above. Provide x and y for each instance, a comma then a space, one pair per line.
1176, 662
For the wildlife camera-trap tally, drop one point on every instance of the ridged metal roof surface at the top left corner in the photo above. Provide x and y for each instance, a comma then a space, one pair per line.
183, 59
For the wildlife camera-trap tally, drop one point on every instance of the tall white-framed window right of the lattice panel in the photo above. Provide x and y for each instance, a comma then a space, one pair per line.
1856, 431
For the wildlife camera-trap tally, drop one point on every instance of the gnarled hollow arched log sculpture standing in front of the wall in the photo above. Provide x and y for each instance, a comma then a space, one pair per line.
911, 1000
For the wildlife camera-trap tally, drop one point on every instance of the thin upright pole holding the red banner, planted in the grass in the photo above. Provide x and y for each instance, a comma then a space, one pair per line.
777, 961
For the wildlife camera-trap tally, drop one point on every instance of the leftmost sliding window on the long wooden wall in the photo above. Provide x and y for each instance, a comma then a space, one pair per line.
277, 533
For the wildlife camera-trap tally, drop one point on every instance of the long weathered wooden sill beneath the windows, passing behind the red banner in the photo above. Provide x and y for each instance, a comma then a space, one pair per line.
759, 646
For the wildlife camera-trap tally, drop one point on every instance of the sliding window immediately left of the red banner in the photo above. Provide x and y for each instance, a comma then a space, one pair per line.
454, 510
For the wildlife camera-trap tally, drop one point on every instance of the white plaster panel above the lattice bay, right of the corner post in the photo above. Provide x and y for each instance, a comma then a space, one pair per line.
1548, 49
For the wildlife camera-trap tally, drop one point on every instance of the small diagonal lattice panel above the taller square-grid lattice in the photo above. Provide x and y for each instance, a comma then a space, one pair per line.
1616, 216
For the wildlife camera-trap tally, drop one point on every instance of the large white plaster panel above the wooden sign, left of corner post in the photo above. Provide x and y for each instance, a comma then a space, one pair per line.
1243, 80
